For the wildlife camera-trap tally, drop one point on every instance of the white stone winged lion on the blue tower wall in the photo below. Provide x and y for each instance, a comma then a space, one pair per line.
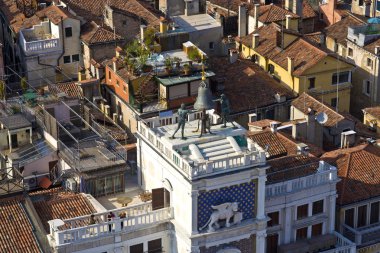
223, 211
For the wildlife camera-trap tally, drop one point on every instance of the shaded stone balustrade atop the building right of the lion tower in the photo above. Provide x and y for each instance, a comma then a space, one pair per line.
324, 174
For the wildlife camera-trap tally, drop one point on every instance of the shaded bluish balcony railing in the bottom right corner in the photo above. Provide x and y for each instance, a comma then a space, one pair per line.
363, 236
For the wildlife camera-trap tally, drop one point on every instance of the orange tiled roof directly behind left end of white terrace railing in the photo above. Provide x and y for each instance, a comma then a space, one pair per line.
56, 203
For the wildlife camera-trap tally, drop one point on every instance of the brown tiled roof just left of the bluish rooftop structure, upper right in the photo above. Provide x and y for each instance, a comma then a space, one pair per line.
339, 30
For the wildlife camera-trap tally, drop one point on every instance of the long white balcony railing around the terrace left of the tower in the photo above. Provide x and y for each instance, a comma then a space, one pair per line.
137, 217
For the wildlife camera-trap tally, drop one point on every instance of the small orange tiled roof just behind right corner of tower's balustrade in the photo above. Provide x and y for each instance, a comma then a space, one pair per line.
269, 140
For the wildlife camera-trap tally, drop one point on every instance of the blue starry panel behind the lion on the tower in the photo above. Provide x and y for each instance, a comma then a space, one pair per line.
242, 193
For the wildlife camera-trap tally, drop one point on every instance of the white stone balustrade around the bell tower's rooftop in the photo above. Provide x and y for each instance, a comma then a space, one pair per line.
194, 170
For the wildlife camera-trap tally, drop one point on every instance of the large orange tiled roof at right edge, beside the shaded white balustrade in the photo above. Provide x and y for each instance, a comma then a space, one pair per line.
359, 169
